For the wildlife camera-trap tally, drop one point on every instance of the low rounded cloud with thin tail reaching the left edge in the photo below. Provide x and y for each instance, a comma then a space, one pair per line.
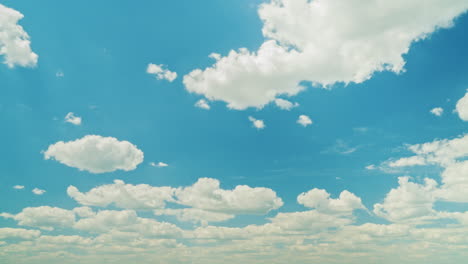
44, 217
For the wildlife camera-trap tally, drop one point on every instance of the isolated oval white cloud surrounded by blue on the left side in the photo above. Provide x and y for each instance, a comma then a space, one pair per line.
96, 154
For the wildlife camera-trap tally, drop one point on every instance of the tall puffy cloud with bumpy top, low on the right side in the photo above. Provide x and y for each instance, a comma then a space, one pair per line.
410, 202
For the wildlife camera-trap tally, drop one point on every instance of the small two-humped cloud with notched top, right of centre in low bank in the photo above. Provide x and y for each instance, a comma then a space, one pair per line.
320, 201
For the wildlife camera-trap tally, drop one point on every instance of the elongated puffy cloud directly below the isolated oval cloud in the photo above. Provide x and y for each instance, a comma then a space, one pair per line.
123, 195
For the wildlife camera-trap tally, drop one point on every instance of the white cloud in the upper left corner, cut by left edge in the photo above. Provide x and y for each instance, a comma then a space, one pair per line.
15, 45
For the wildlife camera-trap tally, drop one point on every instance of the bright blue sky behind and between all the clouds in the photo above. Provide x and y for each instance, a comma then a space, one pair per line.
103, 48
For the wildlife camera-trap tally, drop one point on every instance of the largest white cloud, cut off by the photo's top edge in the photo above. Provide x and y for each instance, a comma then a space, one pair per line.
321, 41
